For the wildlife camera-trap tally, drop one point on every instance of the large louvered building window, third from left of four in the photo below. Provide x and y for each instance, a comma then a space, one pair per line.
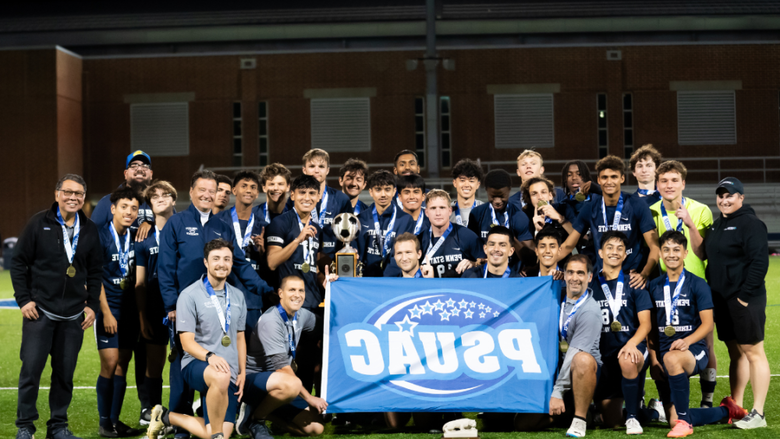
524, 121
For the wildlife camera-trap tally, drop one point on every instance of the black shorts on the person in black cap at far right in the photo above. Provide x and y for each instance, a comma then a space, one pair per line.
744, 324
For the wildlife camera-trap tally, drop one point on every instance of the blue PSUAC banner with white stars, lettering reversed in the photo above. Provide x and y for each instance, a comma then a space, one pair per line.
440, 345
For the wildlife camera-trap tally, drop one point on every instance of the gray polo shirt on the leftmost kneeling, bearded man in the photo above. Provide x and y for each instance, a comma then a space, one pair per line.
196, 313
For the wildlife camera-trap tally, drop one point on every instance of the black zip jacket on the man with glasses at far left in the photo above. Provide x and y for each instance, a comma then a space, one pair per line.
38, 269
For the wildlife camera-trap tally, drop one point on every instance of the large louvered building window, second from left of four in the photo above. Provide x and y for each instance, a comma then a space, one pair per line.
341, 124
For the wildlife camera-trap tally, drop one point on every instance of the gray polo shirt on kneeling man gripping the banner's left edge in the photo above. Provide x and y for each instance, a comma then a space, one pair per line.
271, 338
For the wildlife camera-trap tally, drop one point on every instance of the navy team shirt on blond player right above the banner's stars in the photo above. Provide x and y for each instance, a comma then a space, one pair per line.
461, 244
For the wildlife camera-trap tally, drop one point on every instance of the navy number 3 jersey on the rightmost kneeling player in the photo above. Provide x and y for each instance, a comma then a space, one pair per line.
695, 297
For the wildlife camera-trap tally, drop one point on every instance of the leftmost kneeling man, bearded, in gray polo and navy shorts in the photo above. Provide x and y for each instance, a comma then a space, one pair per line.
211, 316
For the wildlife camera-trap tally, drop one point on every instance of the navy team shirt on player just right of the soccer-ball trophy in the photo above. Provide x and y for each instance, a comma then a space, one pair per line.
369, 250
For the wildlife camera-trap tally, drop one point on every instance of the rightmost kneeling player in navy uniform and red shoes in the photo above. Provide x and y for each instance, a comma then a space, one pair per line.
683, 317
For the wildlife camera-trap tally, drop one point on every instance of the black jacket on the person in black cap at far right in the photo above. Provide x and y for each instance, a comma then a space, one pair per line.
738, 255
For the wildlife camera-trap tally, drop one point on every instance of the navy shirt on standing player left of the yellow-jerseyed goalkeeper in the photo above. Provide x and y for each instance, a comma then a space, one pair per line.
635, 220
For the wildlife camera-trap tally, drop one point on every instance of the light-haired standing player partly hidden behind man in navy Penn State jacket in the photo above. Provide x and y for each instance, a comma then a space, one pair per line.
161, 195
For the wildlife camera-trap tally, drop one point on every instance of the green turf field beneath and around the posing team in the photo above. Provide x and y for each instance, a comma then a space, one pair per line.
84, 418
